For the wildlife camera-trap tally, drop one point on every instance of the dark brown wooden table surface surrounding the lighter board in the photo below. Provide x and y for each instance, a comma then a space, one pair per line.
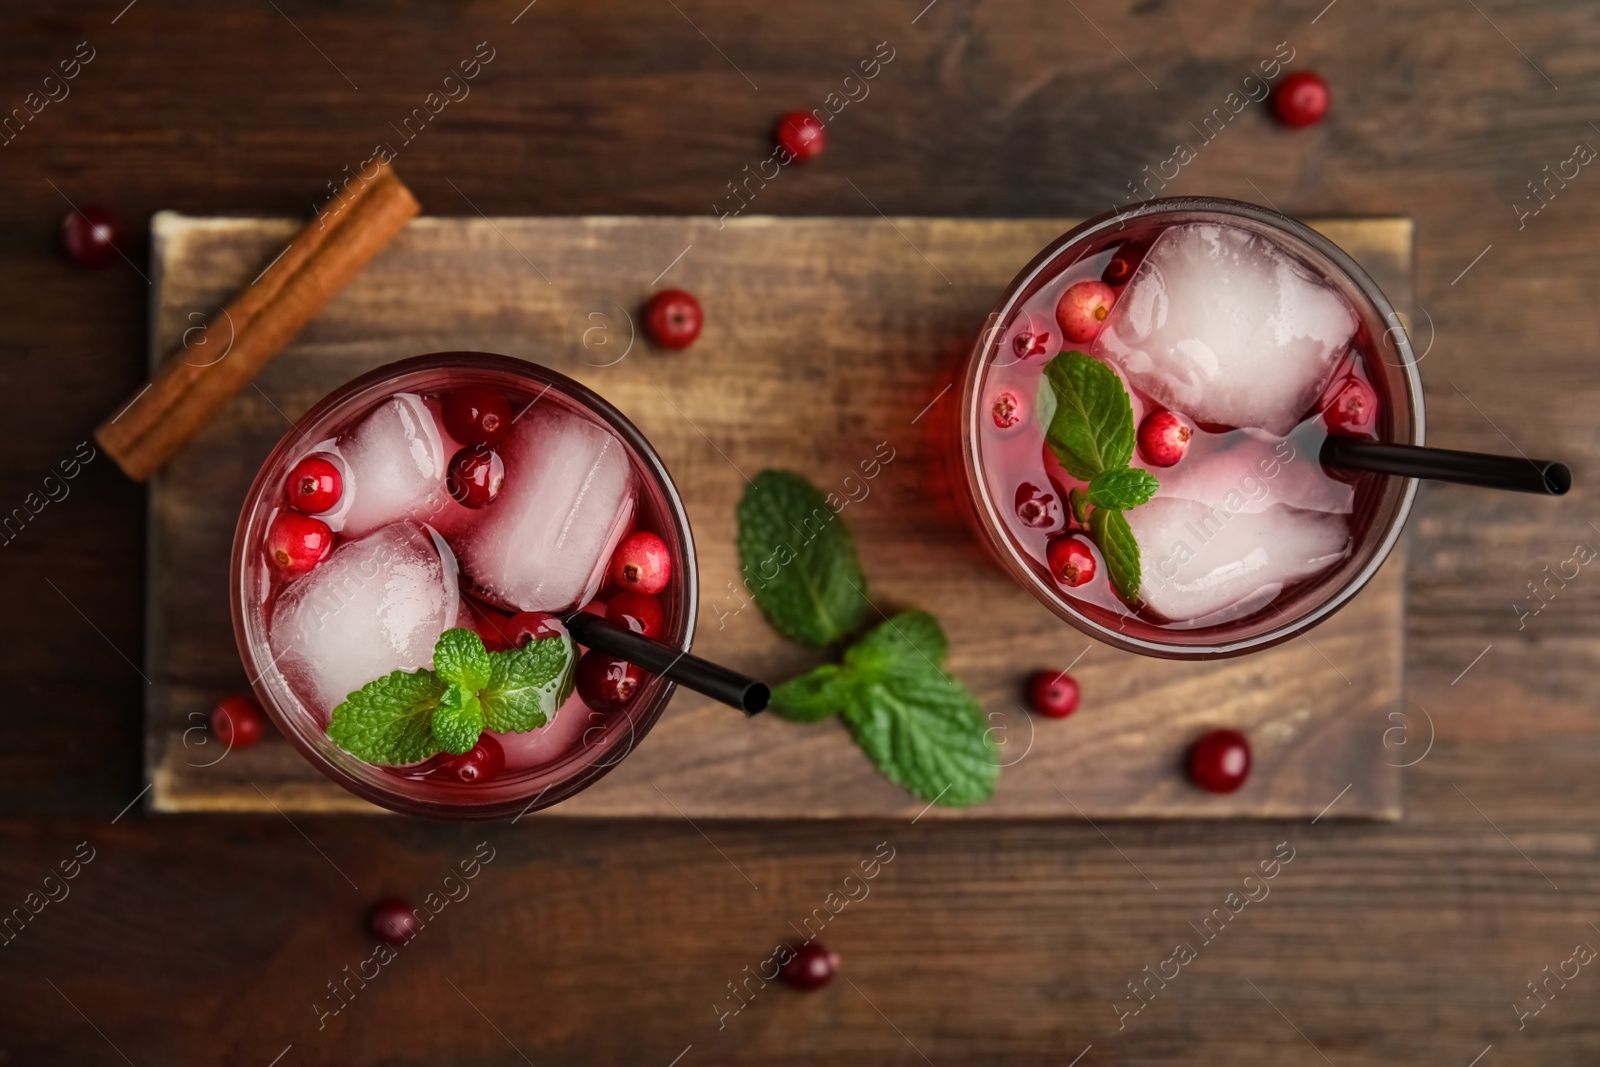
214, 940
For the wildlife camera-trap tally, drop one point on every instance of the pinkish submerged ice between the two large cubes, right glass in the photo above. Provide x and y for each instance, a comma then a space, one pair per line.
1249, 471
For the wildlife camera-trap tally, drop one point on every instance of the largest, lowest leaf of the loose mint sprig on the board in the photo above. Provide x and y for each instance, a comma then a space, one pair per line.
927, 735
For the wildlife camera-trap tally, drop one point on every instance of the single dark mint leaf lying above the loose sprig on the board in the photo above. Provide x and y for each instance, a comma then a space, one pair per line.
799, 561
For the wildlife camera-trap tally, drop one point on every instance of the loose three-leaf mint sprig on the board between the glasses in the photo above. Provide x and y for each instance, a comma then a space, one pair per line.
922, 729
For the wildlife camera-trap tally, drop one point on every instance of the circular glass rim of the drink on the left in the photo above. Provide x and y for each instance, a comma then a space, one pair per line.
262, 489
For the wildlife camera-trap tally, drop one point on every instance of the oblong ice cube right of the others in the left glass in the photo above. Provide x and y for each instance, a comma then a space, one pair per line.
569, 497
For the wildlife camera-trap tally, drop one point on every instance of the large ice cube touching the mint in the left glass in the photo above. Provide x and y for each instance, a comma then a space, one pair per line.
377, 605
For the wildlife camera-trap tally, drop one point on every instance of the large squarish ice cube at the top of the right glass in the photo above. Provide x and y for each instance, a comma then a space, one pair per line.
1223, 326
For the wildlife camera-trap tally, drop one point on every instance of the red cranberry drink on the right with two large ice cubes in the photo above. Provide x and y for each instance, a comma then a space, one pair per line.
1143, 420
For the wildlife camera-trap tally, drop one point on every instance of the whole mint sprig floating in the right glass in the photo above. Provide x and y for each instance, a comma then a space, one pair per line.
1092, 434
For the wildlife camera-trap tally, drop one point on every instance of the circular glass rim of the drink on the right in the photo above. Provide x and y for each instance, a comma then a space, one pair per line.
990, 340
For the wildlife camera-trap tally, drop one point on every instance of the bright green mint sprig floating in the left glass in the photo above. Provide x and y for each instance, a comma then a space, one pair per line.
407, 717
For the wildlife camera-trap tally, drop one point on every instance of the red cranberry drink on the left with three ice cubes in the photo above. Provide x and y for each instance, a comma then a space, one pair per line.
402, 564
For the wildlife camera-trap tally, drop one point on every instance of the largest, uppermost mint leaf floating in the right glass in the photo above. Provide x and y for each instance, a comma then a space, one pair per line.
1092, 428
